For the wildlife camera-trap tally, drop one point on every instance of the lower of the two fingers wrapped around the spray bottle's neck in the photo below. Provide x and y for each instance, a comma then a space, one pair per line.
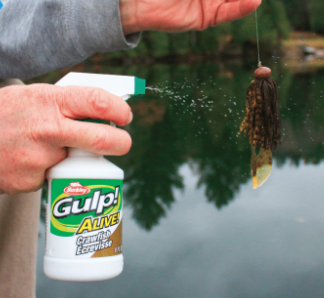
98, 138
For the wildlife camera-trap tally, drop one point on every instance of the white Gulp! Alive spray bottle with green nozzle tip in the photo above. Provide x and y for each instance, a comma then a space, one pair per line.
84, 210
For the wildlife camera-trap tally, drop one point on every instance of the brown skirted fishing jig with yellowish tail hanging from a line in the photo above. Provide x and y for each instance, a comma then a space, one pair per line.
262, 122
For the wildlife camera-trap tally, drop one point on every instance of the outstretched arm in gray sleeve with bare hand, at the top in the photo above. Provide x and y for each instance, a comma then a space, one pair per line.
40, 36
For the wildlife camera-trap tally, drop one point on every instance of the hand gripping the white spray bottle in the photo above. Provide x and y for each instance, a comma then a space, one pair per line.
36, 124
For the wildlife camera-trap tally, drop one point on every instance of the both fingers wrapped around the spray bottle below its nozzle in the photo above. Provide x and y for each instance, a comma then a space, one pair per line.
87, 102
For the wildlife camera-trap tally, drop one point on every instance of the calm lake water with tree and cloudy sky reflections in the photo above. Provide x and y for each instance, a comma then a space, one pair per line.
193, 225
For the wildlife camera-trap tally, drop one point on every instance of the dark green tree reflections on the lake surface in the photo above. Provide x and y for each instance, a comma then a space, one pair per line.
195, 120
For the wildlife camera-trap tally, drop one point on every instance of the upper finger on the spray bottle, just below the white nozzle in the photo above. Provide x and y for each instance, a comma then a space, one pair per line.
87, 102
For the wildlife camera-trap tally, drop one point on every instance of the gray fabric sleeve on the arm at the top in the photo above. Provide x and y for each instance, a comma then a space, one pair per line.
38, 36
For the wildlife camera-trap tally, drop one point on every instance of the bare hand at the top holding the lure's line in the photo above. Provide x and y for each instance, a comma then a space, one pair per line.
181, 15
